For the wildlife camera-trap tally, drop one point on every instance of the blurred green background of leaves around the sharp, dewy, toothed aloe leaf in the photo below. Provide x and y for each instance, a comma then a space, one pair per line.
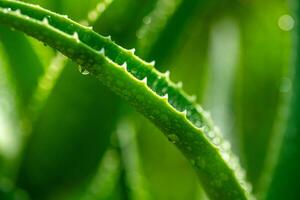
65, 136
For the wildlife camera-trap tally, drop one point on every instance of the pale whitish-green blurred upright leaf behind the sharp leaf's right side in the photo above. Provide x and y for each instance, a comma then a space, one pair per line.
223, 60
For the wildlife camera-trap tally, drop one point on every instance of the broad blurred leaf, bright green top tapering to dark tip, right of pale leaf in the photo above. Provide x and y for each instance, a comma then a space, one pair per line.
257, 95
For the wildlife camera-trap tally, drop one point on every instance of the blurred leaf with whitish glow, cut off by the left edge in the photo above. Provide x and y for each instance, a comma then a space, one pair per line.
9, 117
